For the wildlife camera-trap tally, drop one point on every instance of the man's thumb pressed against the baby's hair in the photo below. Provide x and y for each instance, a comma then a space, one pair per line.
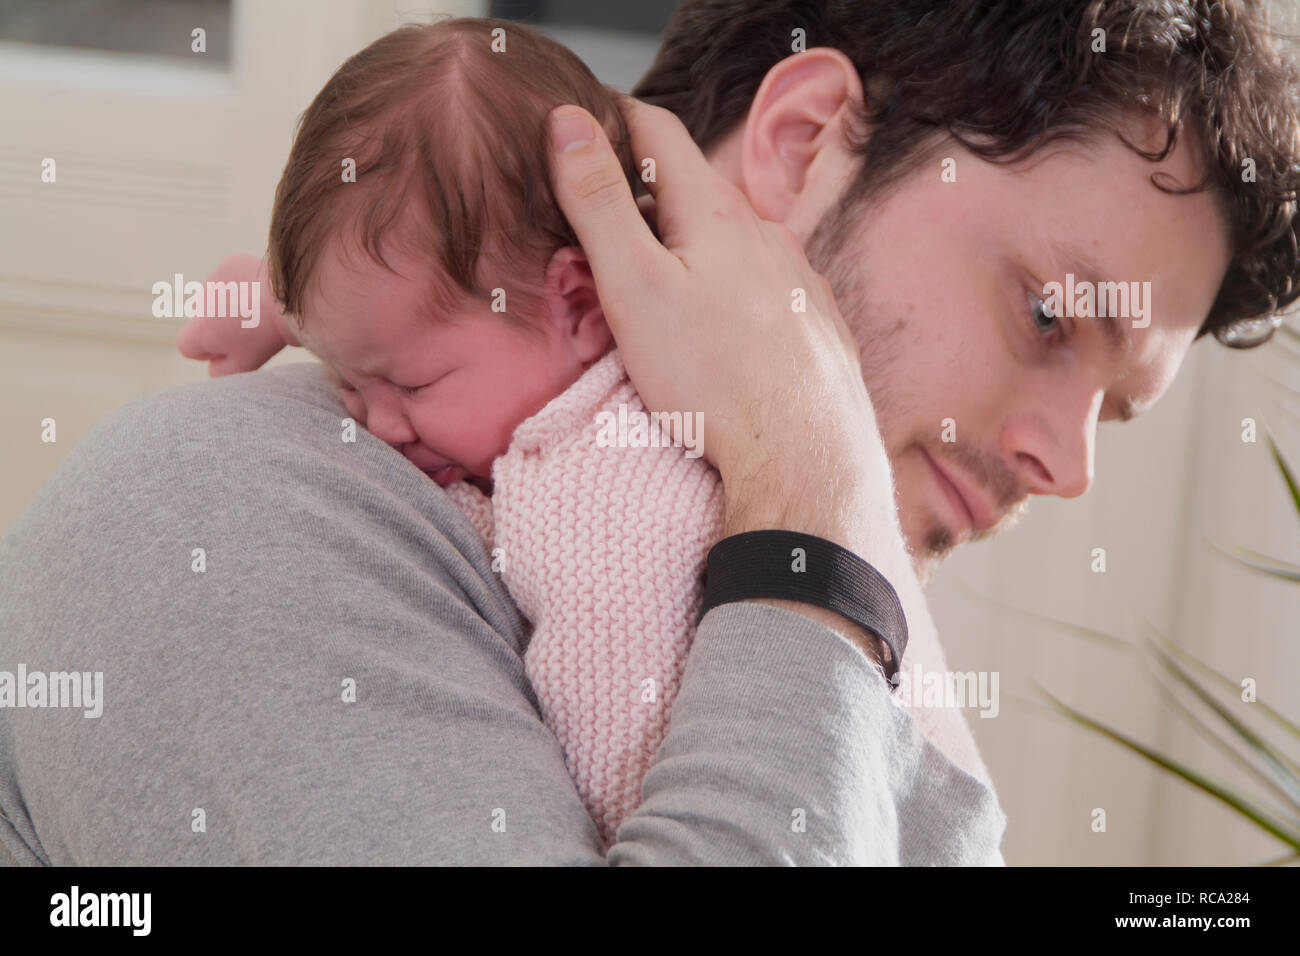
595, 196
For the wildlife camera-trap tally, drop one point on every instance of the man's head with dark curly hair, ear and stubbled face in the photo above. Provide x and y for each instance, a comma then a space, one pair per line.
941, 261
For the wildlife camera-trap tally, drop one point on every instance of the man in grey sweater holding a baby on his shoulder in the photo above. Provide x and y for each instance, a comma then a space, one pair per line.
378, 713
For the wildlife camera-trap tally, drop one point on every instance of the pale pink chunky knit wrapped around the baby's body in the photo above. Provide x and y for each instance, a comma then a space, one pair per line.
604, 551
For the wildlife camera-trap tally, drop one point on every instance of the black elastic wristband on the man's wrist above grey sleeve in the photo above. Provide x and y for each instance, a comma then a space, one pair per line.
765, 564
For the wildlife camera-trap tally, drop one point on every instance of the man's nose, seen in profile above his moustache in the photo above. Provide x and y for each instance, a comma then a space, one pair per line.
1052, 447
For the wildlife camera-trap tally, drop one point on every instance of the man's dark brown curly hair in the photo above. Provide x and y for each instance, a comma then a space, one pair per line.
1006, 77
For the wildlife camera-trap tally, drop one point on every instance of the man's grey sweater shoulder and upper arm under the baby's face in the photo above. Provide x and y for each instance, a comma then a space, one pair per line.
291, 624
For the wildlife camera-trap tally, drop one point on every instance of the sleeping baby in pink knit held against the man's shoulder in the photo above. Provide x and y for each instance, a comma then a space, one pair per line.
418, 250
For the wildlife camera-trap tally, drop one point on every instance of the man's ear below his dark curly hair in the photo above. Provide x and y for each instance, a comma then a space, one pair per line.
795, 131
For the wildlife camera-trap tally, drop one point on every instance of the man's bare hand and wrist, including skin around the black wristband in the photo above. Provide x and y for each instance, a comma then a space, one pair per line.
727, 318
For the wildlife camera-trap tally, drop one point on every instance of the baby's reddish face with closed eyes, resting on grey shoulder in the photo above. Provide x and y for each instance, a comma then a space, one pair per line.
447, 393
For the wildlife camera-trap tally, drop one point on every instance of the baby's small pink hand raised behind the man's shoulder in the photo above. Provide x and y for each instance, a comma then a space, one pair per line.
222, 341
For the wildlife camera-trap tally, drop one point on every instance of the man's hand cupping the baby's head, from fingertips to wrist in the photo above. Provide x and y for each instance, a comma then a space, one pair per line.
726, 317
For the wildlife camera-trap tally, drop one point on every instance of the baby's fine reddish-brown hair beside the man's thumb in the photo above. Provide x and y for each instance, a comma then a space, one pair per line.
448, 128
